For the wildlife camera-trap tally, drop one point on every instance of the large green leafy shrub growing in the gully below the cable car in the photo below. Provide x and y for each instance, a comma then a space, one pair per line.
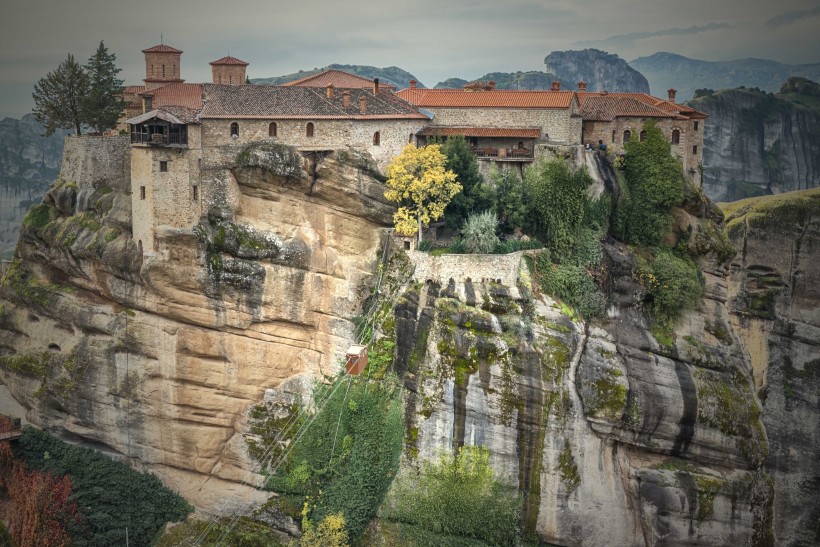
348, 455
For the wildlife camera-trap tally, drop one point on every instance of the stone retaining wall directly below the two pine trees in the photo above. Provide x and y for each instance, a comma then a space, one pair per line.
87, 160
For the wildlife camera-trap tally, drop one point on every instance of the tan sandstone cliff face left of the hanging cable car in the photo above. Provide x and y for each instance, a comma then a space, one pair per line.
157, 360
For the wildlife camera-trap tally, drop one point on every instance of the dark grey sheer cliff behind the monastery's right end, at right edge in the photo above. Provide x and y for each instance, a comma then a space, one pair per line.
757, 143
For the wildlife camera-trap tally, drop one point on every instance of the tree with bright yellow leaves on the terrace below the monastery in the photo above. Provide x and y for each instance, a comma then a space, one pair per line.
420, 183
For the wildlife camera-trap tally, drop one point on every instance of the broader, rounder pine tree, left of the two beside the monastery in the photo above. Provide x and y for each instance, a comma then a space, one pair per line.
59, 96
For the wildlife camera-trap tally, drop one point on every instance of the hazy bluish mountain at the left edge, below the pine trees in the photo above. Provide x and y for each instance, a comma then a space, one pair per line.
29, 162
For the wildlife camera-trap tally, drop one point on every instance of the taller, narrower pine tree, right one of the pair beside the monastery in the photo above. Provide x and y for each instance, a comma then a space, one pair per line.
103, 104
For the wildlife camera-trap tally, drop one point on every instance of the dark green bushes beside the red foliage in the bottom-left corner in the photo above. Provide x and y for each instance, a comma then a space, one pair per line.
111, 495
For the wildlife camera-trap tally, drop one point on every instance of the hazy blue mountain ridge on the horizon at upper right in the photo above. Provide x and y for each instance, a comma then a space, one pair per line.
665, 70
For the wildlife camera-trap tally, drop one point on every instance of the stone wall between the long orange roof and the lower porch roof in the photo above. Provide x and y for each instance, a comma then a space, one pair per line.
555, 124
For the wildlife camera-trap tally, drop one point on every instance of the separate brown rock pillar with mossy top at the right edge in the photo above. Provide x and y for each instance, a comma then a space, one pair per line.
774, 292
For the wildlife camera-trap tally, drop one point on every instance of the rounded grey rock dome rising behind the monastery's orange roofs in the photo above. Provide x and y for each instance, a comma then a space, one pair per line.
599, 69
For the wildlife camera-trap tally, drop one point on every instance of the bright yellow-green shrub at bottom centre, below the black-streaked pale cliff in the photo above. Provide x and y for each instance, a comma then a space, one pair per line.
458, 495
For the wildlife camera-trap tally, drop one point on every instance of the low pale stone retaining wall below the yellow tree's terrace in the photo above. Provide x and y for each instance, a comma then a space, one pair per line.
440, 269
